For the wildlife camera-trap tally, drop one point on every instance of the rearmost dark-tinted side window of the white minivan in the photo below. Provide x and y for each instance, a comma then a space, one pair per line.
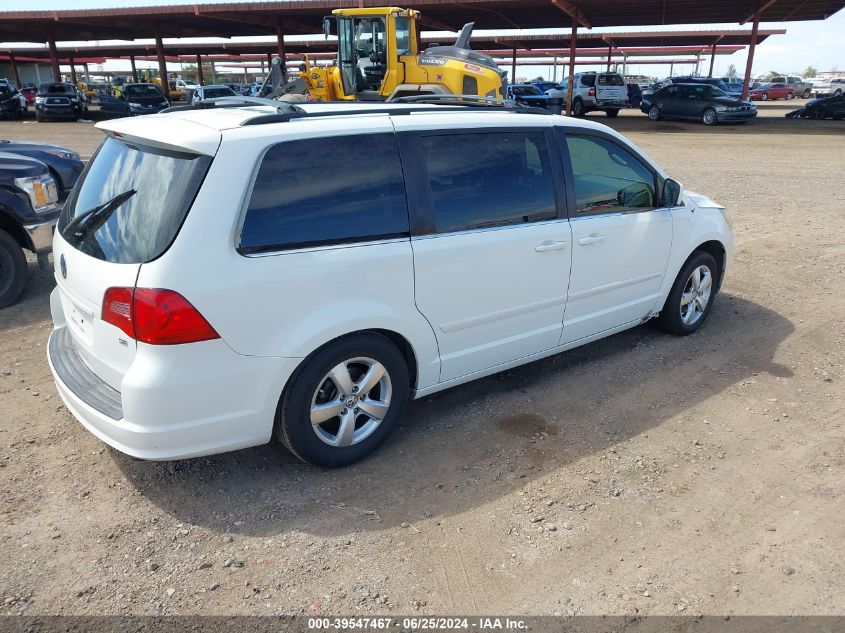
324, 191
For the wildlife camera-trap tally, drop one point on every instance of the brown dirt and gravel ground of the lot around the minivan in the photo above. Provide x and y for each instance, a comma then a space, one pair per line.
641, 474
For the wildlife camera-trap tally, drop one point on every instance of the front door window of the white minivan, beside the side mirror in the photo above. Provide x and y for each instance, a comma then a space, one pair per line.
609, 178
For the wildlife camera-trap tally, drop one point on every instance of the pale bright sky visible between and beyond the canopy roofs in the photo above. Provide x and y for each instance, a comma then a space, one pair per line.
819, 44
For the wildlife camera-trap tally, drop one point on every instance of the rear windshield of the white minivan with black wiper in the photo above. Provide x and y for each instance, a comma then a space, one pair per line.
144, 224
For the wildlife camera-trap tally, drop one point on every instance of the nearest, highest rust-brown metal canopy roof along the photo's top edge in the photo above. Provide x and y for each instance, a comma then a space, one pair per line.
304, 16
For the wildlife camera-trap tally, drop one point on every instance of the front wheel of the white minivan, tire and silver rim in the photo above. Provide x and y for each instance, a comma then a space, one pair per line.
692, 295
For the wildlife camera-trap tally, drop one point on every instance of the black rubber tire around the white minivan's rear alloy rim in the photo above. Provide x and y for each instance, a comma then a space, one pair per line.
293, 420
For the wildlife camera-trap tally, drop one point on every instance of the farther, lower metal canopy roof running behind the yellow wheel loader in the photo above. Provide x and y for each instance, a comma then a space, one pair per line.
621, 42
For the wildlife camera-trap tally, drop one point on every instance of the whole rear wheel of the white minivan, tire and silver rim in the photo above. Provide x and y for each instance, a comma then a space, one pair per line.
344, 401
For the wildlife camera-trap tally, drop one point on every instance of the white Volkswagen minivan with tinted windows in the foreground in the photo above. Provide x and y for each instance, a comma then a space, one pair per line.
230, 274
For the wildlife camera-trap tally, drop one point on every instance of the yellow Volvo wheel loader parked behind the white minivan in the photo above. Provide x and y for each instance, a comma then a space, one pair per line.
379, 59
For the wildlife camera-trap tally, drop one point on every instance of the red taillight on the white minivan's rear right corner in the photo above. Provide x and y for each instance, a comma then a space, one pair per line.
155, 316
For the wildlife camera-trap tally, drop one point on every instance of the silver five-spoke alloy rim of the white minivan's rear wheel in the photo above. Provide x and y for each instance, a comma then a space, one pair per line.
351, 401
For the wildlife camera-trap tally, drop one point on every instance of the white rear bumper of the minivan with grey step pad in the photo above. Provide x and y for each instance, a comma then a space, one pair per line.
199, 400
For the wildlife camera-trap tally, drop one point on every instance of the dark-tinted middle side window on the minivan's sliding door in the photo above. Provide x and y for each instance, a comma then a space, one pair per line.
487, 180
